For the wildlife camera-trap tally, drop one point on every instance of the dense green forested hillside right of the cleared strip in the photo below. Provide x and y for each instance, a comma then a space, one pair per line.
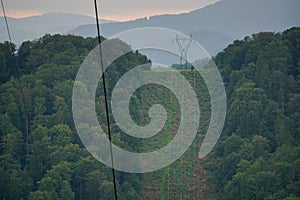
258, 156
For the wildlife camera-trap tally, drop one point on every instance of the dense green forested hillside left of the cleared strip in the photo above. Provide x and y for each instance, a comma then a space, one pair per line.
50, 163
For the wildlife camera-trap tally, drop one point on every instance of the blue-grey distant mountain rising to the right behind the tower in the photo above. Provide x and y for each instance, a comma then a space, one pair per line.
217, 25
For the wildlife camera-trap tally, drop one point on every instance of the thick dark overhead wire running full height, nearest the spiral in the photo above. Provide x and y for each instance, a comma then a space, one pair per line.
106, 99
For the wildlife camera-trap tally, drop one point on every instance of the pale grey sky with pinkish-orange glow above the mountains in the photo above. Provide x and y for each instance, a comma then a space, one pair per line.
120, 10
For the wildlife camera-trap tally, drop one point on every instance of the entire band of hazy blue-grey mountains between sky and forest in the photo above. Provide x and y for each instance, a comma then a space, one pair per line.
214, 26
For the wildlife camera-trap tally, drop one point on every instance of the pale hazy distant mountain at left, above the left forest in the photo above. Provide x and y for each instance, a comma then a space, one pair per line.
29, 28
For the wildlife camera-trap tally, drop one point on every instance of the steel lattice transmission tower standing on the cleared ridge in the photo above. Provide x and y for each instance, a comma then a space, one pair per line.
184, 46
